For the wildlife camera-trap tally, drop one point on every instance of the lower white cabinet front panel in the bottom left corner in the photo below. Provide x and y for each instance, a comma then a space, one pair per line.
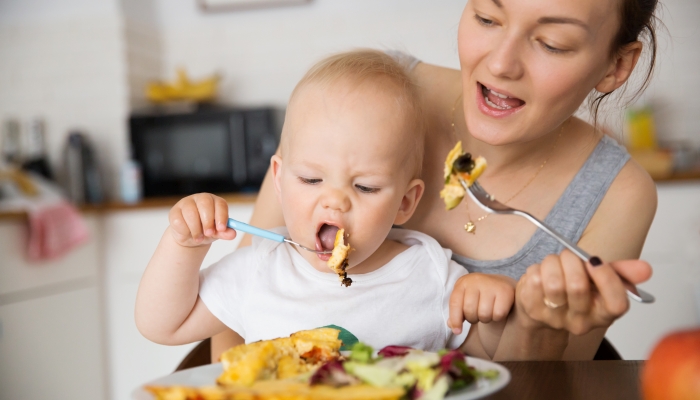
51, 347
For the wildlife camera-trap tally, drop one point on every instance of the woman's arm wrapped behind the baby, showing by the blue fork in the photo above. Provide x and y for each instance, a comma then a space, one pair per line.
266, 214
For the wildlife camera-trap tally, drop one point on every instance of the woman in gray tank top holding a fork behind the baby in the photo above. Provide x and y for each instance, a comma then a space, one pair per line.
526, 67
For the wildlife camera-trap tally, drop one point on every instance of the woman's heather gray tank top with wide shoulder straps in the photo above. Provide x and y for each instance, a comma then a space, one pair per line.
569, 216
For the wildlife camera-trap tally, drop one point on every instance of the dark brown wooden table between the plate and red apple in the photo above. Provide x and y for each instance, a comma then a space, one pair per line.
597, 380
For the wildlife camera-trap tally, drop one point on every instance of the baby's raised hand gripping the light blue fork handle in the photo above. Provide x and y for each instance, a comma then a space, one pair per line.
200, 219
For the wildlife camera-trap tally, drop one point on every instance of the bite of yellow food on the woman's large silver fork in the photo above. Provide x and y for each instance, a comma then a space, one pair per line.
459, 164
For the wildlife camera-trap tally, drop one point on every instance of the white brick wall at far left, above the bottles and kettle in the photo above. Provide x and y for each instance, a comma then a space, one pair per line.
64, 61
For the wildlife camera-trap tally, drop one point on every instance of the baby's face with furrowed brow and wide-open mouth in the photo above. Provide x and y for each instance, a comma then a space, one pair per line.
343, 165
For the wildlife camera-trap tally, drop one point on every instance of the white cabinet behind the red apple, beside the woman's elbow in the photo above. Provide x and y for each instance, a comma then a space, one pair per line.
673, 250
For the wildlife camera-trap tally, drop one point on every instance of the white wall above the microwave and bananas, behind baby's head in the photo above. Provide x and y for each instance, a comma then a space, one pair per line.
263, 53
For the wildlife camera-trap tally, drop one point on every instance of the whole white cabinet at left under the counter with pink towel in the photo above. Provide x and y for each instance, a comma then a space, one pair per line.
51, 320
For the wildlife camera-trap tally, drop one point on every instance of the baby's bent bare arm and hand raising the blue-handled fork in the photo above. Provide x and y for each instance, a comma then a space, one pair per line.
168, 308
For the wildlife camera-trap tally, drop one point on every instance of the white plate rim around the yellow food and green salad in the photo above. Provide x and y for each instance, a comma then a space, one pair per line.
206, 376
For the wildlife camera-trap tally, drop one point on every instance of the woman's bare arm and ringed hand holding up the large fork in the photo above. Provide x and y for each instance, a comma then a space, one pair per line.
575, 330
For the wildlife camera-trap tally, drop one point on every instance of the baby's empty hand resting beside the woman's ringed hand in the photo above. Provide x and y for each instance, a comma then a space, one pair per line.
480, 298
